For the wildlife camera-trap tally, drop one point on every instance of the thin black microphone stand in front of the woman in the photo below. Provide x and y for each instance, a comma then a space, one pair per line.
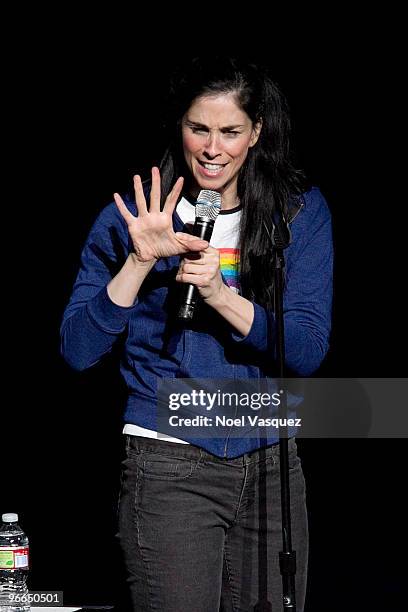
280, 239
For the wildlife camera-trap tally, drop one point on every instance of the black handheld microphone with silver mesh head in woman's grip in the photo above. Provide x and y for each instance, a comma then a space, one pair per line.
207, 207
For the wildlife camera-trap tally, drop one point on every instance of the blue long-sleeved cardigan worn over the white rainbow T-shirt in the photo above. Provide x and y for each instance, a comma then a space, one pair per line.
156, 348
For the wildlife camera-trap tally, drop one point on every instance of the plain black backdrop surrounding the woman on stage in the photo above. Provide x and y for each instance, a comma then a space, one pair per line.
82, 107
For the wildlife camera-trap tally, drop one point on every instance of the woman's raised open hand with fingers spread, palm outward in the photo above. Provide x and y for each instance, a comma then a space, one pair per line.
152, 231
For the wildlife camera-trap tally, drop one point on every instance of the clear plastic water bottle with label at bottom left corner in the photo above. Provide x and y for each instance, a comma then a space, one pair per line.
14, 596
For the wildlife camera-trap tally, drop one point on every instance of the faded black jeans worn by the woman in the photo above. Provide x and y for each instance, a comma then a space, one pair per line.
189, 526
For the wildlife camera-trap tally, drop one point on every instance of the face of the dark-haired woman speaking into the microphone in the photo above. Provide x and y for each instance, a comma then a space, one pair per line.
217, 135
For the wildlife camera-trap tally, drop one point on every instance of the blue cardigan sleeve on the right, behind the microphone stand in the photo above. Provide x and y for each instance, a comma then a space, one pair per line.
307, 296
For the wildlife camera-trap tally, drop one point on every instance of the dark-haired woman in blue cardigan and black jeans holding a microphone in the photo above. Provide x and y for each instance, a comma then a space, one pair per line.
189, 514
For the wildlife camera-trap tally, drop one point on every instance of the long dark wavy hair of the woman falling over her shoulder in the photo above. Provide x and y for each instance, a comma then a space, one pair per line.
267, 180
